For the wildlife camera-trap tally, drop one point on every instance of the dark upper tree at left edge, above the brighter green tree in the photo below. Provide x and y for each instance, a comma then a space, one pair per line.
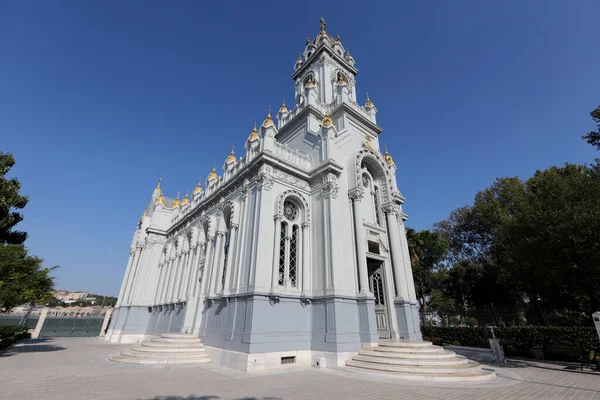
10, 201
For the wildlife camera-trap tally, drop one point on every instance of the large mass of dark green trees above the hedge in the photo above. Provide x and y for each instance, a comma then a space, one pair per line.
534, 241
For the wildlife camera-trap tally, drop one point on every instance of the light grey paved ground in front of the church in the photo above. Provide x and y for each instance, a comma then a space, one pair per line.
79, 369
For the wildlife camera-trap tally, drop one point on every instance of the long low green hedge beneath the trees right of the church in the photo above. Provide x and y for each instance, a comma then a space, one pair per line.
518, 339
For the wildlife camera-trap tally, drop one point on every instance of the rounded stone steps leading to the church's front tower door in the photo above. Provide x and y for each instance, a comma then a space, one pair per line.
419, 360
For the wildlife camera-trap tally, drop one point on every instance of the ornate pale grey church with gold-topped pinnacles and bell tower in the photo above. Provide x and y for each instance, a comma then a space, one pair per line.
297, 250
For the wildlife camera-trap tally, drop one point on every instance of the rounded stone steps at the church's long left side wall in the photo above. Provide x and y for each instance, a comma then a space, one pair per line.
168, 349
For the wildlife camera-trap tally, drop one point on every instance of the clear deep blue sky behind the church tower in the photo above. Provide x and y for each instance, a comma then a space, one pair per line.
98, 99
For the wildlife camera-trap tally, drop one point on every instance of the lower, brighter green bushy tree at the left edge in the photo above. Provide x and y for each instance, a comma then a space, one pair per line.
22, 277
